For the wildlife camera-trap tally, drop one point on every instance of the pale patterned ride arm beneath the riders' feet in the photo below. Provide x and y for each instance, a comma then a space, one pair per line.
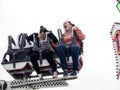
33, 84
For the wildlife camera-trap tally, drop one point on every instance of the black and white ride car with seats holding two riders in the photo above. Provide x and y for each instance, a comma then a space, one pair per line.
16, 60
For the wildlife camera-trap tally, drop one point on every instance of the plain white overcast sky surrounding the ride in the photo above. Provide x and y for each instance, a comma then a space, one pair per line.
95, 18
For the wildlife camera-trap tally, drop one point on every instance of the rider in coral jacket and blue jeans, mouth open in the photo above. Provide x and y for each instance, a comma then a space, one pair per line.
74, 49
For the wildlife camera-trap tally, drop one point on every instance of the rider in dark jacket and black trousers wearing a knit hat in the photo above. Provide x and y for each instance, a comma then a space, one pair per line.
47, 53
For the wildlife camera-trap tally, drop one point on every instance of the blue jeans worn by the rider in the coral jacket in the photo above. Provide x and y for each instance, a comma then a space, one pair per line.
74, 51
